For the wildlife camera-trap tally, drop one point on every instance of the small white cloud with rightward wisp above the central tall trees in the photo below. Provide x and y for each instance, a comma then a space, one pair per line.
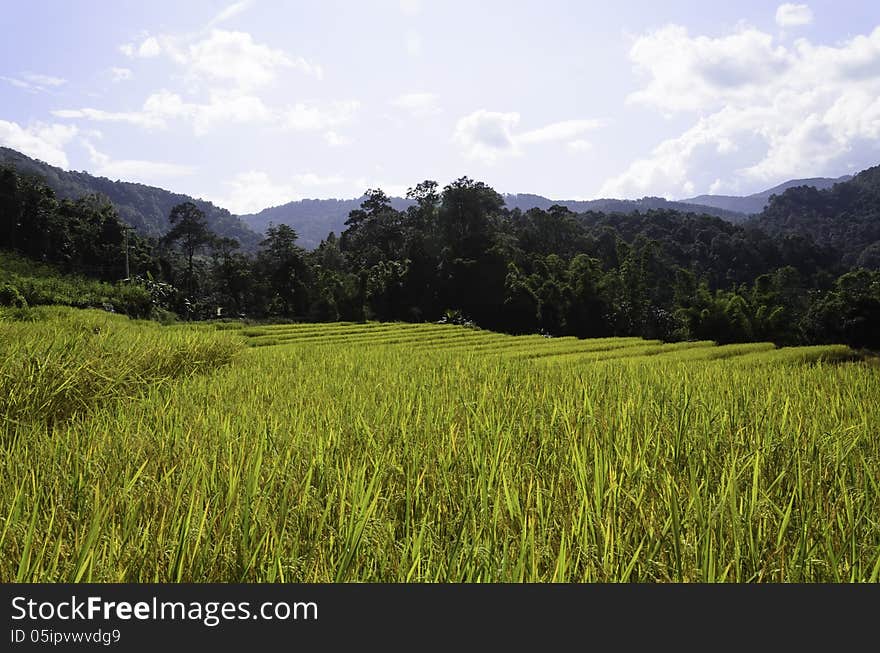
489, 135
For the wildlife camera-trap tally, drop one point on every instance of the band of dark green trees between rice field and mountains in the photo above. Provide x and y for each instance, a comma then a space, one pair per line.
458, 254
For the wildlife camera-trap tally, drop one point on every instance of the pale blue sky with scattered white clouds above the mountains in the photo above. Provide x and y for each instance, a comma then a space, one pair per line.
258, 102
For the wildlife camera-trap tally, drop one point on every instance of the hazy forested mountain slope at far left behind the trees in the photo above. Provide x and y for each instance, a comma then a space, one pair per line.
146, 208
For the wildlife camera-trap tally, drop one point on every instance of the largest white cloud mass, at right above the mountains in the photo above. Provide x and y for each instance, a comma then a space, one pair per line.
763, 111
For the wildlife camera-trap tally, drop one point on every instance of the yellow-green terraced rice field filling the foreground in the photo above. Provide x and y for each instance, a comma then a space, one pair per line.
429, 453
